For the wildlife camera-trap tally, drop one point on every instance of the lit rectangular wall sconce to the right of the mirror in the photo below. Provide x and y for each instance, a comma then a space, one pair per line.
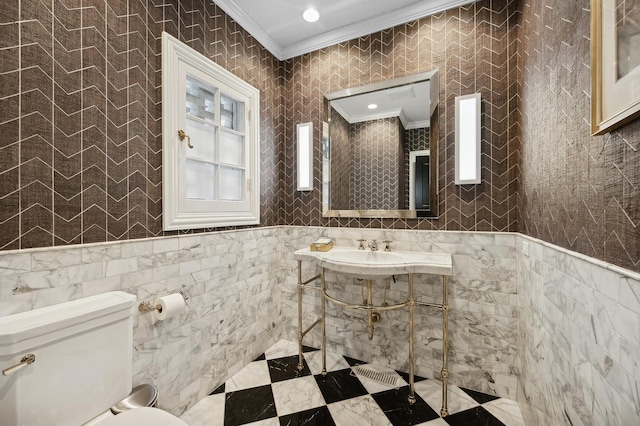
468, 139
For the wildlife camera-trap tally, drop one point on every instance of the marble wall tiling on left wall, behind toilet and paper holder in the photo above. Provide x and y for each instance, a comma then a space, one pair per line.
232, 314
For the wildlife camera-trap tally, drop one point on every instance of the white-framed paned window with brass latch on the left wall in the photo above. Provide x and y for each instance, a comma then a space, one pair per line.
210, 143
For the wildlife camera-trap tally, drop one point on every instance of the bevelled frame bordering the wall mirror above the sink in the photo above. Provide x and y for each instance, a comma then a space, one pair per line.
432, 213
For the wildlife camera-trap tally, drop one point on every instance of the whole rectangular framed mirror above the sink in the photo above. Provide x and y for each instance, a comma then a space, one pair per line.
381, 153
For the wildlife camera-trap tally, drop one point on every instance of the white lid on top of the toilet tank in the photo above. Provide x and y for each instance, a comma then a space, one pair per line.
25, 325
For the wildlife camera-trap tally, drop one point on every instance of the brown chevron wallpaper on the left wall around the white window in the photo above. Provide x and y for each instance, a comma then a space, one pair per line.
80, 102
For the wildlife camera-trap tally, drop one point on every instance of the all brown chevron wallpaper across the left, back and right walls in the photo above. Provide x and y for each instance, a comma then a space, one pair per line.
80, 119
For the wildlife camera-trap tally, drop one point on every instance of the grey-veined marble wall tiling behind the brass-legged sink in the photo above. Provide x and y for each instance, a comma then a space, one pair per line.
483, 300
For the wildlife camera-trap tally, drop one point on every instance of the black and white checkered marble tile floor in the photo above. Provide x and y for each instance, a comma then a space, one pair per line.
271, 391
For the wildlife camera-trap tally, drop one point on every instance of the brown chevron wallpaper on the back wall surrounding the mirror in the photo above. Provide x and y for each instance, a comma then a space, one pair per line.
474, 49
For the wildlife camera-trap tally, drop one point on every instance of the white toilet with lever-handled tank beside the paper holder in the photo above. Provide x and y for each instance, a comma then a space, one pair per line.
83, 365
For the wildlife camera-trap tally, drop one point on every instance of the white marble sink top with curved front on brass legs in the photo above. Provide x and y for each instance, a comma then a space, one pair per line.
378, 264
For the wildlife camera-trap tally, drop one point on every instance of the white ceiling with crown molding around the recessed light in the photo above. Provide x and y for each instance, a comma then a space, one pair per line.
279, 27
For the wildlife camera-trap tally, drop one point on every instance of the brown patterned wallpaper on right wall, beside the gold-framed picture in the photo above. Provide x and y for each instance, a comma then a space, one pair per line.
579, 192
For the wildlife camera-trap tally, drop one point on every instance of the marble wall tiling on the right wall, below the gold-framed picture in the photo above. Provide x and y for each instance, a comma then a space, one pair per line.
579, 339
